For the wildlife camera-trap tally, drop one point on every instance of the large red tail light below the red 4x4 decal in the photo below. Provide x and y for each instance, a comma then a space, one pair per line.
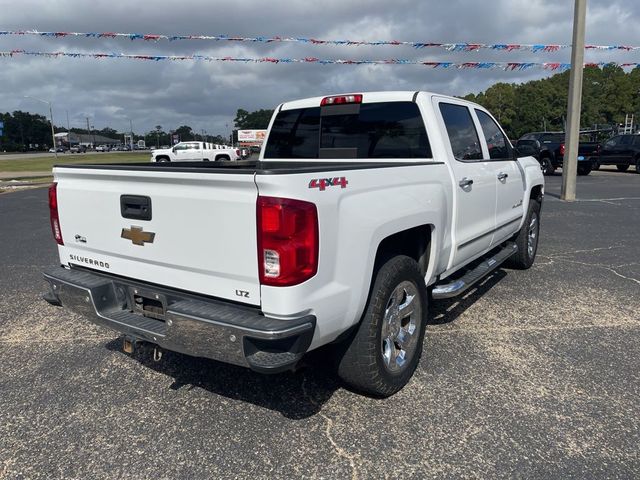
287, 241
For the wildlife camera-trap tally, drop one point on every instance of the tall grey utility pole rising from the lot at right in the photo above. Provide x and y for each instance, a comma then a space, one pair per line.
572, 132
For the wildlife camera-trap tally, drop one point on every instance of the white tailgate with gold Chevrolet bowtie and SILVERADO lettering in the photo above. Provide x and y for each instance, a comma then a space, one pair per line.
203, 226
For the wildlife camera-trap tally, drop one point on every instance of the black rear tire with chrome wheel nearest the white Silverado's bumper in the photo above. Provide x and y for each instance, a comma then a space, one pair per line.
362, 363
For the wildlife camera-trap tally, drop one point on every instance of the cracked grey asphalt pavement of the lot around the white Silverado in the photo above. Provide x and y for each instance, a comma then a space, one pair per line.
533, 374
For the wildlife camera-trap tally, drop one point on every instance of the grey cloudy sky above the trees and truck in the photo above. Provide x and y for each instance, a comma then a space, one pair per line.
207, 95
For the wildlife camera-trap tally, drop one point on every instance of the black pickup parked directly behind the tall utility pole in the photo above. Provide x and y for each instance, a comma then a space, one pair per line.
549, 149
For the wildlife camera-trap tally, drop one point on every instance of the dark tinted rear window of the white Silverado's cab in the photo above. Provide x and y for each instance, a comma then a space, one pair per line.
370, 130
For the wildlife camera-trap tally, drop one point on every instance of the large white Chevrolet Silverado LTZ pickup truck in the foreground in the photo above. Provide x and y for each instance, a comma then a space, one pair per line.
361, 209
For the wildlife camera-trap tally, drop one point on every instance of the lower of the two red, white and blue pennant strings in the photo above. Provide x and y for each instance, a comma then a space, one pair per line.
507, 66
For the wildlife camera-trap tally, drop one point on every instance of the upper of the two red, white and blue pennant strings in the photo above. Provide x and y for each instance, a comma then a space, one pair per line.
452, 47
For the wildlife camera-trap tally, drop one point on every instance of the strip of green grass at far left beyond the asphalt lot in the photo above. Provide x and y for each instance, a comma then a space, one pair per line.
43, 164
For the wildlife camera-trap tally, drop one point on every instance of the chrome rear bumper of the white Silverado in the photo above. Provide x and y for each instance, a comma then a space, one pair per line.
189, 324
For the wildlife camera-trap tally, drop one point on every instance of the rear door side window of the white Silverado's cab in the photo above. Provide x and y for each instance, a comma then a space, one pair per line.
462, 132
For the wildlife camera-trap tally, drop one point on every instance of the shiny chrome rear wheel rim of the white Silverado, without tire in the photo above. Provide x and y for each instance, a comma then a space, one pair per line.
400, 326
